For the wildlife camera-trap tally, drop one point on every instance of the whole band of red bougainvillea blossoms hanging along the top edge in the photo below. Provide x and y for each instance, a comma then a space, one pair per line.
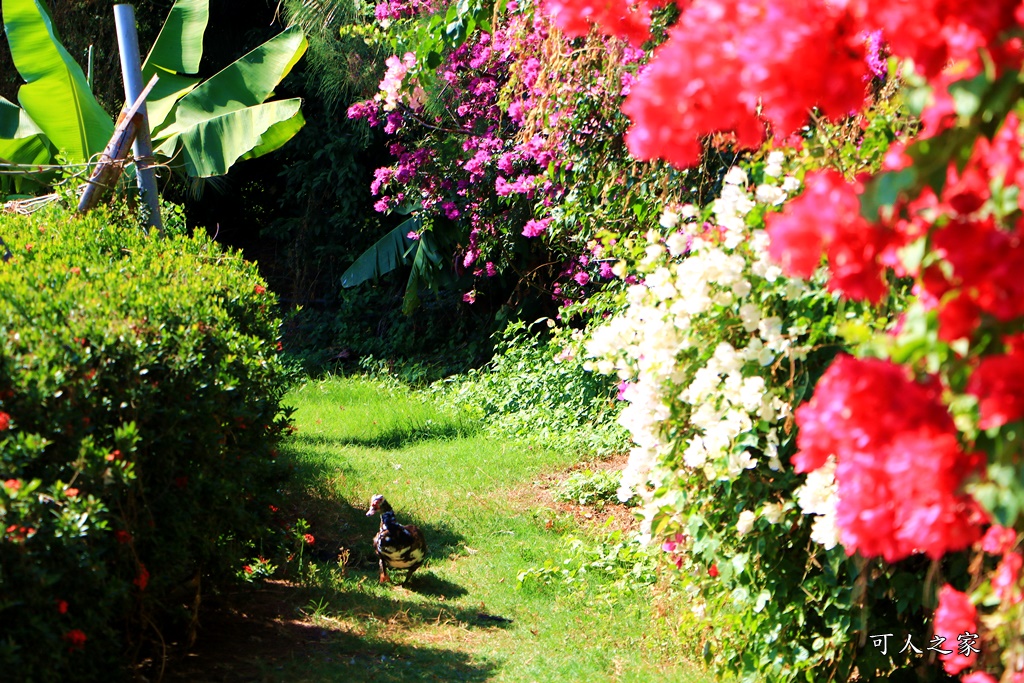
727, 59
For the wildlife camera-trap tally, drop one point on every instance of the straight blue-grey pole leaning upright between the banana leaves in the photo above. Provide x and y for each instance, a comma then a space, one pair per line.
132, 72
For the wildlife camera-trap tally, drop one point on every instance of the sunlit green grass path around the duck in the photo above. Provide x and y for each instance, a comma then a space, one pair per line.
461, 618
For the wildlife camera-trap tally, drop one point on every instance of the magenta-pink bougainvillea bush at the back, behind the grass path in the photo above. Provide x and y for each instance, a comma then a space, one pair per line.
508, 147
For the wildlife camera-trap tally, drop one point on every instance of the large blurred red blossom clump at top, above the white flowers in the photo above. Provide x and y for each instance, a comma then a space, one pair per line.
728, 62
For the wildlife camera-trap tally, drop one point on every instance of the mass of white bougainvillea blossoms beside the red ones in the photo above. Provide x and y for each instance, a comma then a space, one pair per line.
680, 401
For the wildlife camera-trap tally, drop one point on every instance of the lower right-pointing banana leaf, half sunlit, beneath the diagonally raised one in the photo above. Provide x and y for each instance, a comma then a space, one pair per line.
210, 148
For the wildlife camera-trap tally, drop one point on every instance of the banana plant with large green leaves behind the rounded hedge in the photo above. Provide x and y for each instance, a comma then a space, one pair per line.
200, 130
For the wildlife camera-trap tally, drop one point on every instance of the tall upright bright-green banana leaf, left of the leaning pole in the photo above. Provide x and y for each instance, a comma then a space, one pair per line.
56, 95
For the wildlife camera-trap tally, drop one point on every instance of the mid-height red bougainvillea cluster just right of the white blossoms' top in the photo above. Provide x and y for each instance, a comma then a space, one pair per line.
826, 220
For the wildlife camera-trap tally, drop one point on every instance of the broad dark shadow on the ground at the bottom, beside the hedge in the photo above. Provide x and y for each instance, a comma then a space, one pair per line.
268, 634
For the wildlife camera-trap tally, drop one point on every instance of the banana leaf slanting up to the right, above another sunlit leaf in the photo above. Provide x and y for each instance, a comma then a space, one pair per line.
247, 82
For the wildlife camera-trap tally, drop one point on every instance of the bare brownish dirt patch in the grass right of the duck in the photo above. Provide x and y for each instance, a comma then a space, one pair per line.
540, 495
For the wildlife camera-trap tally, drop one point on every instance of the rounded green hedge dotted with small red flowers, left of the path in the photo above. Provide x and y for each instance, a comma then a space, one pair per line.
140, 406
